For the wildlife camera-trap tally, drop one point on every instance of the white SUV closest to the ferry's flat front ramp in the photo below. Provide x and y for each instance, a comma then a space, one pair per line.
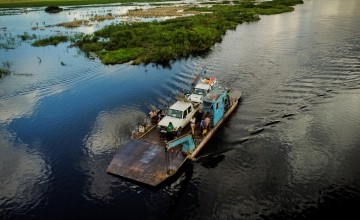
179, 114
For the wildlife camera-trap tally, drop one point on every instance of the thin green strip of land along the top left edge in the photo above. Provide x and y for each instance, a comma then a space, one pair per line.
41, 3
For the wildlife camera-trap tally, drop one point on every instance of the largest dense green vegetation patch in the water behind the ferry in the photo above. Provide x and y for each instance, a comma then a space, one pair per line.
160, 42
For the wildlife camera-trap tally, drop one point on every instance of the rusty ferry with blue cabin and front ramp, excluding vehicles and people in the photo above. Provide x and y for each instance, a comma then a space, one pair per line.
150, 159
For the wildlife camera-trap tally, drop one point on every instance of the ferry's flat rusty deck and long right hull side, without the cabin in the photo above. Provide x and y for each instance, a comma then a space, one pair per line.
148, 159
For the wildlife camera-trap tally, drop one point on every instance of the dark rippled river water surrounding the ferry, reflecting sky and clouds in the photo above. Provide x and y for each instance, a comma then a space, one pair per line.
290, 151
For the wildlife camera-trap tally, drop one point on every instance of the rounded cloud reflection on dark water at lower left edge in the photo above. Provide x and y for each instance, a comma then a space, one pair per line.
24, 175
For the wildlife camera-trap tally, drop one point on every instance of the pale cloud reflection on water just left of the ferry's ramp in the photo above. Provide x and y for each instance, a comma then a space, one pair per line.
110, 130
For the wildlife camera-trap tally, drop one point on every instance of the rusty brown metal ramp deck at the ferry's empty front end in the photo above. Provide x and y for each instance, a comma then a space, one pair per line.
145, 160
